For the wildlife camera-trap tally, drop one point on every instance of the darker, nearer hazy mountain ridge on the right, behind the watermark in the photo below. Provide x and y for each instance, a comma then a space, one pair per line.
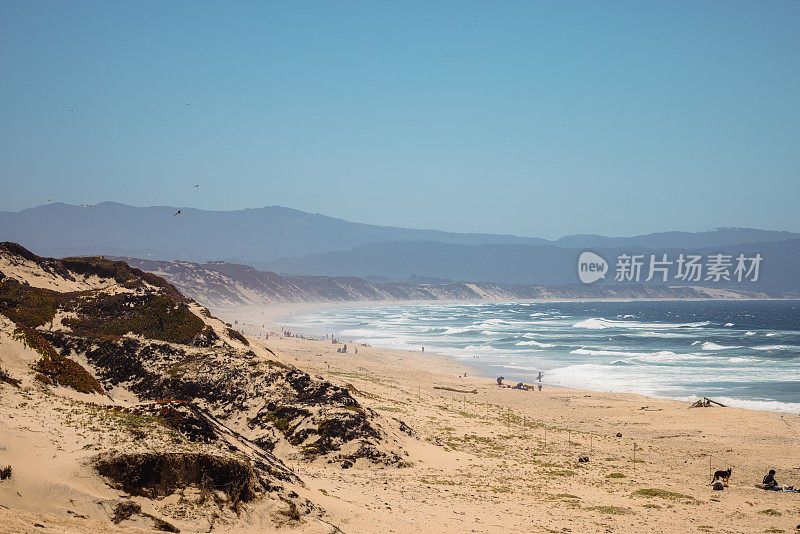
519, 264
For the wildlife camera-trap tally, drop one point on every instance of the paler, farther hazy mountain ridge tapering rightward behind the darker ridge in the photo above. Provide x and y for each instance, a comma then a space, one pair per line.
251, 235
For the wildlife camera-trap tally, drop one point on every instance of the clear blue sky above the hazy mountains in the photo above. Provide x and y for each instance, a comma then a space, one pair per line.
531, 118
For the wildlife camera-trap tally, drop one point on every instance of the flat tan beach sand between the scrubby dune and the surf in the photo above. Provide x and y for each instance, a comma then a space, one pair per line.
507, 460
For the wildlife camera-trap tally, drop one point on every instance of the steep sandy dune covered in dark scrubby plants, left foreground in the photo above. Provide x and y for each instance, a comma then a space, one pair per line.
174, 420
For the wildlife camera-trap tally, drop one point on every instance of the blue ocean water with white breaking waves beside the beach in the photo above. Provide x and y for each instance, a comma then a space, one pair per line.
743, 354
